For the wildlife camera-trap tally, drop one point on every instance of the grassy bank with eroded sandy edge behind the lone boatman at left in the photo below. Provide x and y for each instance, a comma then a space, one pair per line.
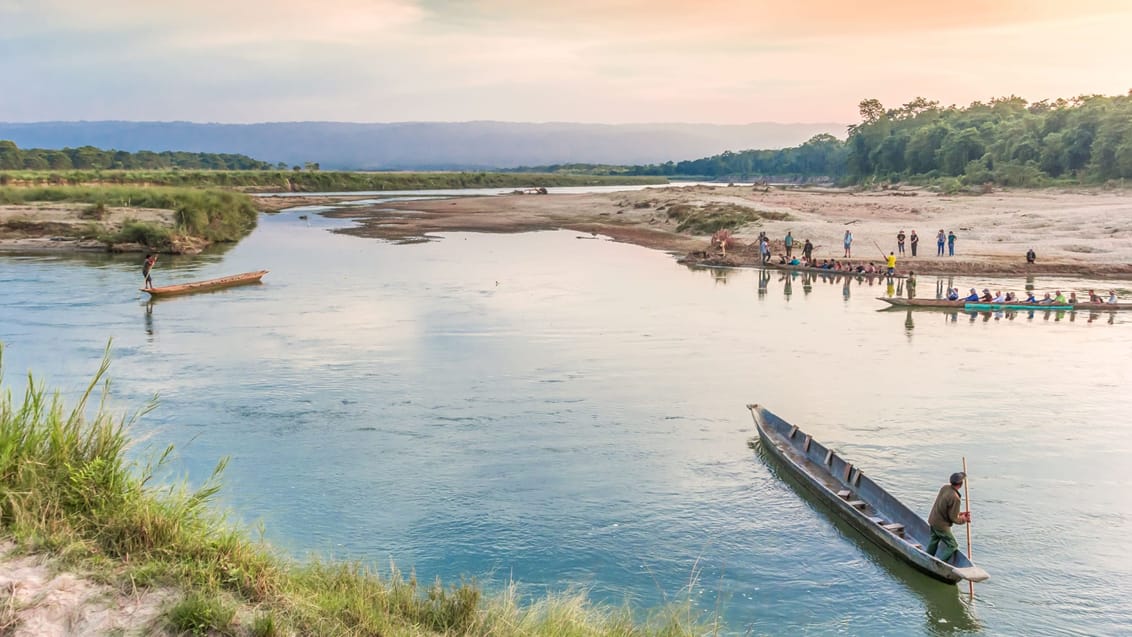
127, 218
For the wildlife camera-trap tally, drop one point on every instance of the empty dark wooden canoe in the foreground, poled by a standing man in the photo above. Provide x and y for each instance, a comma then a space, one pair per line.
856, 500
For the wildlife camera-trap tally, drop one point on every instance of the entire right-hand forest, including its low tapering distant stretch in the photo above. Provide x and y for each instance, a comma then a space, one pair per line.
1007, 142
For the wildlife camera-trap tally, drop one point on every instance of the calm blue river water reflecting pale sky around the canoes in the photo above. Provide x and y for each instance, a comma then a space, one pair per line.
568, 412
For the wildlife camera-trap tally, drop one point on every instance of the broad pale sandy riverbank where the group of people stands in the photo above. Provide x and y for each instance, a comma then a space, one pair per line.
1074, 233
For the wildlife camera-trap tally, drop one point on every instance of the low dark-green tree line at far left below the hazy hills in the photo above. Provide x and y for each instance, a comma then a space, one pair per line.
89, 158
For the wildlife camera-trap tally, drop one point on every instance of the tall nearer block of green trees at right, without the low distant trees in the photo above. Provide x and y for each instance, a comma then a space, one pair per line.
1007, 141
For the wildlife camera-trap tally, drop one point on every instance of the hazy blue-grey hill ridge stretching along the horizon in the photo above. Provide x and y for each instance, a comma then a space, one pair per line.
424, 145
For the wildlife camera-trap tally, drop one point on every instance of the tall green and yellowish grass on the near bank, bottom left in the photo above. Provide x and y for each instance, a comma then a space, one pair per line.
70, 489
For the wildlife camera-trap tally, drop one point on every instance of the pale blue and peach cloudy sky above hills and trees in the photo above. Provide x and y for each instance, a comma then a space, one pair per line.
606, 62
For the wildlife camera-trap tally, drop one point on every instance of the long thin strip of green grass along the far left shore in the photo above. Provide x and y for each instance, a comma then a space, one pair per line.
315, 182
